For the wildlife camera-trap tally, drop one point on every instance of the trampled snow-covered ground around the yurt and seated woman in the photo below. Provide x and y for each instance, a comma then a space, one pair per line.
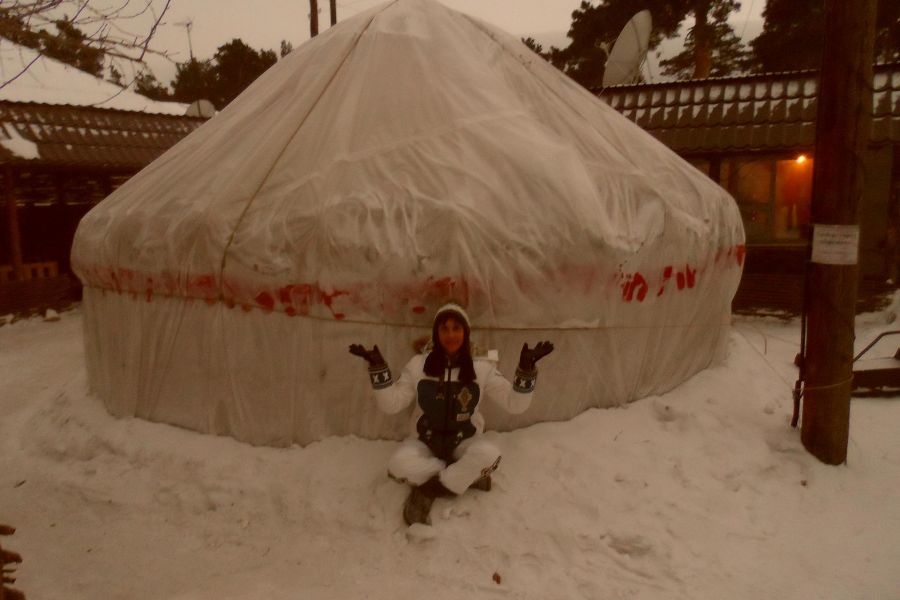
704, 492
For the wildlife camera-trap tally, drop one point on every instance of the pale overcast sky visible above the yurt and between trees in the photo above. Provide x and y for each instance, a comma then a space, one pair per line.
262, 24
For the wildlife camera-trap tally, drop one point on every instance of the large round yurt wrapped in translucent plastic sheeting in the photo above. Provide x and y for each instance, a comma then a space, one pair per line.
409, 156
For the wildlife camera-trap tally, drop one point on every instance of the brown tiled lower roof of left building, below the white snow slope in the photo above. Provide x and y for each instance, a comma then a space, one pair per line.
87, 137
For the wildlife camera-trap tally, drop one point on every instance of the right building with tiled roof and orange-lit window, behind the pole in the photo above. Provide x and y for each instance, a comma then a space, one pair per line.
755, 136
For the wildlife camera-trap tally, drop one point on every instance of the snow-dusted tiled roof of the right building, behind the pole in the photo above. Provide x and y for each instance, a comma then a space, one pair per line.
768, 111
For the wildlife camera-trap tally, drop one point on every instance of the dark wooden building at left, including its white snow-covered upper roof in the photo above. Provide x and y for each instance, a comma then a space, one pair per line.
67, 139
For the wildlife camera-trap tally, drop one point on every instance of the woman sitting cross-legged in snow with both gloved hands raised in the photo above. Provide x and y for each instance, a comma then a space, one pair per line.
447, 453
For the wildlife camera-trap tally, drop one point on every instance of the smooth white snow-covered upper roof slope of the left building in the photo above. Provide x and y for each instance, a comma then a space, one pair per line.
30, 77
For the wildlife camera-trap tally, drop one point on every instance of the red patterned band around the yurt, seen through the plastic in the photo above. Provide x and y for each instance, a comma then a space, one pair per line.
398, 298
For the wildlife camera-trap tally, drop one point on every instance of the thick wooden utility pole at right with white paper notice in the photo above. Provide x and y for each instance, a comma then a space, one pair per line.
843, 126
